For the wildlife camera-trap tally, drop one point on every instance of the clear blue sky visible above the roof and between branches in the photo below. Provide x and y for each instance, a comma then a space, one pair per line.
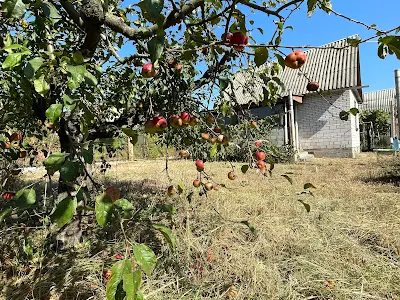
322, 28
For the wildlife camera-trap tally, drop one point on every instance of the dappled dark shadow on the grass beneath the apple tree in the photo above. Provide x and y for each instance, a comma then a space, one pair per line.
65, 267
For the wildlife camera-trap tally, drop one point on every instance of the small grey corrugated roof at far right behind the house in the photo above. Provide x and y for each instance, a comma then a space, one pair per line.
382, 99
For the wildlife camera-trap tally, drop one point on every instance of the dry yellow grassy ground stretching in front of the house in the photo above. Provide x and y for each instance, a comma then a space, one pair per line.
346, 247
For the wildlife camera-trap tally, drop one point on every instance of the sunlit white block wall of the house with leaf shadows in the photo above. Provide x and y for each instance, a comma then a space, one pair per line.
320, 129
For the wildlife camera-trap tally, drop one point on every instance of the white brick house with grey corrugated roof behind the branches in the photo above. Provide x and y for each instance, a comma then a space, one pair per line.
315, 126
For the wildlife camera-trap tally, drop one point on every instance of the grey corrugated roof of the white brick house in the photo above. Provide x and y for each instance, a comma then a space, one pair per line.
332, 68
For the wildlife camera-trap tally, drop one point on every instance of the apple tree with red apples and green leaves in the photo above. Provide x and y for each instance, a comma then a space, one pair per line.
62, 73
